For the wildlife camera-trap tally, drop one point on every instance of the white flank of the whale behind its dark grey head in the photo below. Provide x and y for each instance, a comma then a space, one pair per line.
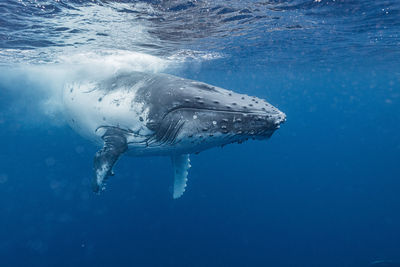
89, 110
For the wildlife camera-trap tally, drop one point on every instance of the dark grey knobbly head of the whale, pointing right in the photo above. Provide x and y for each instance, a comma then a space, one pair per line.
189, 116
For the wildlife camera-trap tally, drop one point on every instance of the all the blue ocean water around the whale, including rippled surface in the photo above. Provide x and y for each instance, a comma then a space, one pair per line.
323, 191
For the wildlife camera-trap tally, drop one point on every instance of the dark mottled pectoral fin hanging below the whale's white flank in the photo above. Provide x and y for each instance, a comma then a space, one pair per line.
115, 145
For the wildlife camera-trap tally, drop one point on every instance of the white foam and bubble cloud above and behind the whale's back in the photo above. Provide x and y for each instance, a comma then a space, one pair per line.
38, 88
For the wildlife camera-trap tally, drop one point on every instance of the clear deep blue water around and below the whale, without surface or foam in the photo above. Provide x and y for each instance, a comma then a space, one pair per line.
323, 191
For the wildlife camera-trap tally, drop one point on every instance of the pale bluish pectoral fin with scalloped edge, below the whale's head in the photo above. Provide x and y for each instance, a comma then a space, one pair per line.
181, 165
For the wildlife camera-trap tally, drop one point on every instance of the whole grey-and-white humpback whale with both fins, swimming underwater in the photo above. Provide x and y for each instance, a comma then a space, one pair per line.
145, 114
